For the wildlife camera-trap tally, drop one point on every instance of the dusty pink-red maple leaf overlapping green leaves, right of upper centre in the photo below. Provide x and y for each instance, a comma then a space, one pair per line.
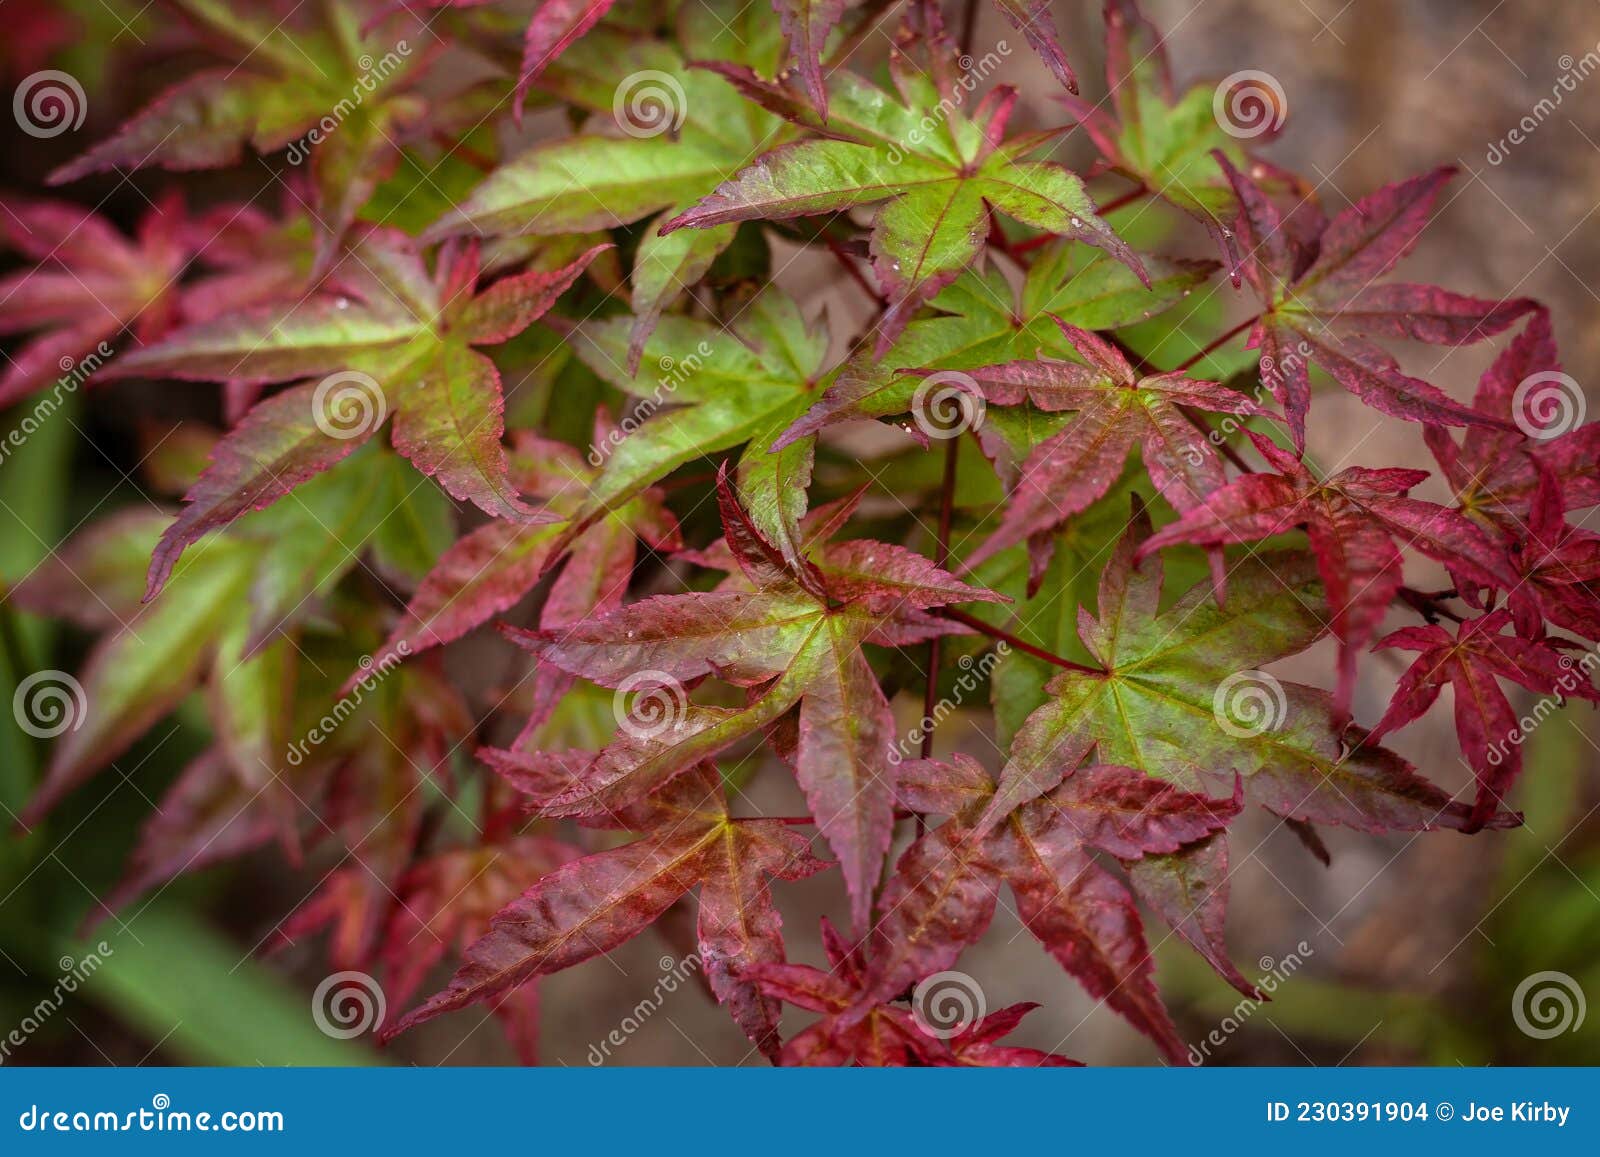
1116, 412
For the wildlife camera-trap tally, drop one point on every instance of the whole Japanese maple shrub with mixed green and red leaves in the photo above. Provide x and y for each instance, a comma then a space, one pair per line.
1086, 476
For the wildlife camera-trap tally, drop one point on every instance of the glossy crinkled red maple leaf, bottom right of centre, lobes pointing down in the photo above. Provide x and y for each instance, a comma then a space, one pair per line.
946, 887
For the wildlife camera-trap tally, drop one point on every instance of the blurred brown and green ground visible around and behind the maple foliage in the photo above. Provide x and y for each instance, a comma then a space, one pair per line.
1409, 950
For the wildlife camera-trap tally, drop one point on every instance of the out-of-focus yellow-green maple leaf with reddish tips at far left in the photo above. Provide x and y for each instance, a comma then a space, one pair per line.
222, 622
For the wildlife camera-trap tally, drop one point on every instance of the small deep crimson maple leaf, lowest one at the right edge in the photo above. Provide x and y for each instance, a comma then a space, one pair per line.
1474, 663
